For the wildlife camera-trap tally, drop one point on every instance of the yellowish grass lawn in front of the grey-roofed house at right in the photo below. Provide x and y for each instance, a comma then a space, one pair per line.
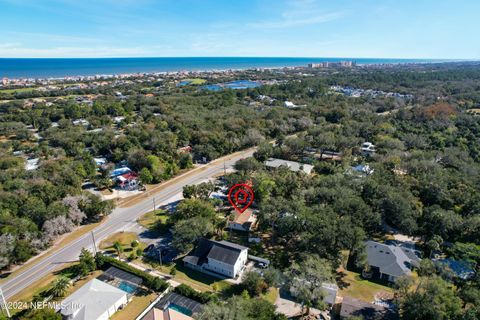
351, 284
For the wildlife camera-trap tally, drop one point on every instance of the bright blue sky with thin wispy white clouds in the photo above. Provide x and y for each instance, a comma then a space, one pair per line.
283, 28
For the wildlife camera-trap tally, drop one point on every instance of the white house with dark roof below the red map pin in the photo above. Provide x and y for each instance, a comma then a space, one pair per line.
218, 257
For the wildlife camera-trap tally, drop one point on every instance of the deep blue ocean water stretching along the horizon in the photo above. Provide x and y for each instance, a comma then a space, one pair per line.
51, 68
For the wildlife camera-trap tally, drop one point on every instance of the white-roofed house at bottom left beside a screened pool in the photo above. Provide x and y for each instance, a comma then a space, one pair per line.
96, 300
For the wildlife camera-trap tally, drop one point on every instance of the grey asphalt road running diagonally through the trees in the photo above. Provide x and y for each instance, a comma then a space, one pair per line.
120, 219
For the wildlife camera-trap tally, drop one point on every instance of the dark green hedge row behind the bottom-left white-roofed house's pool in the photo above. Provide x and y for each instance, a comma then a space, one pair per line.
154, 283
